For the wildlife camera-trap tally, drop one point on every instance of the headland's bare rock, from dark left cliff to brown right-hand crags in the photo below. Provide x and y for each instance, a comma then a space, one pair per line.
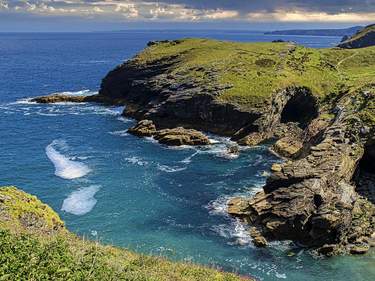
312, 198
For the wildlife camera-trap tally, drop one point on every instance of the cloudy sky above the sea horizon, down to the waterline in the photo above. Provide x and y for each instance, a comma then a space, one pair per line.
98, 15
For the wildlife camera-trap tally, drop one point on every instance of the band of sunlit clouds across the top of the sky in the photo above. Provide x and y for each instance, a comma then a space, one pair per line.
179, 10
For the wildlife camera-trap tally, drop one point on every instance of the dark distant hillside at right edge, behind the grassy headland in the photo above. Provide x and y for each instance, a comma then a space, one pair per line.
363, 38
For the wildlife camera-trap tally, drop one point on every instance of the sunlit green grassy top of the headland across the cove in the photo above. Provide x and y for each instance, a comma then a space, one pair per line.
256, 70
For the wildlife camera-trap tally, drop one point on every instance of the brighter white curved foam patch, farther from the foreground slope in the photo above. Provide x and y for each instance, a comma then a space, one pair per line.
64, 167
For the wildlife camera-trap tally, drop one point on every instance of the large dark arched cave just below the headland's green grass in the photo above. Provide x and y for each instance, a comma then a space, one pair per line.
301, 108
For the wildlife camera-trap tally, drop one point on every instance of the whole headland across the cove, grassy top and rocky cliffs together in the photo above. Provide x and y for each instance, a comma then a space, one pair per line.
318, 105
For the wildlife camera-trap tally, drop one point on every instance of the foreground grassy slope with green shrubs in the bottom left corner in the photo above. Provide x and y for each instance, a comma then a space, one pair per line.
34, 245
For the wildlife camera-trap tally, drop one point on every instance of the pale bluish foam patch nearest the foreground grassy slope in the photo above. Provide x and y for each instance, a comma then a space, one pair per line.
82, 201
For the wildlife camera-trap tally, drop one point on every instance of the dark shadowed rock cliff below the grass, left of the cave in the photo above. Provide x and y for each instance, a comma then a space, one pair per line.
172, 100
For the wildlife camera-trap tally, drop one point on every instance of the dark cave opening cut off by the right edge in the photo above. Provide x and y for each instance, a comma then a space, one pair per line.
365, 174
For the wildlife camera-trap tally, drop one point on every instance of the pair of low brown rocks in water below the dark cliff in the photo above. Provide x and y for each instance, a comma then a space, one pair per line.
173, 137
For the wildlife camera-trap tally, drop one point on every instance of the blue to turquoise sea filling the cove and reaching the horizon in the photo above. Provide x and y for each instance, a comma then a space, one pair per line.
119, 189
